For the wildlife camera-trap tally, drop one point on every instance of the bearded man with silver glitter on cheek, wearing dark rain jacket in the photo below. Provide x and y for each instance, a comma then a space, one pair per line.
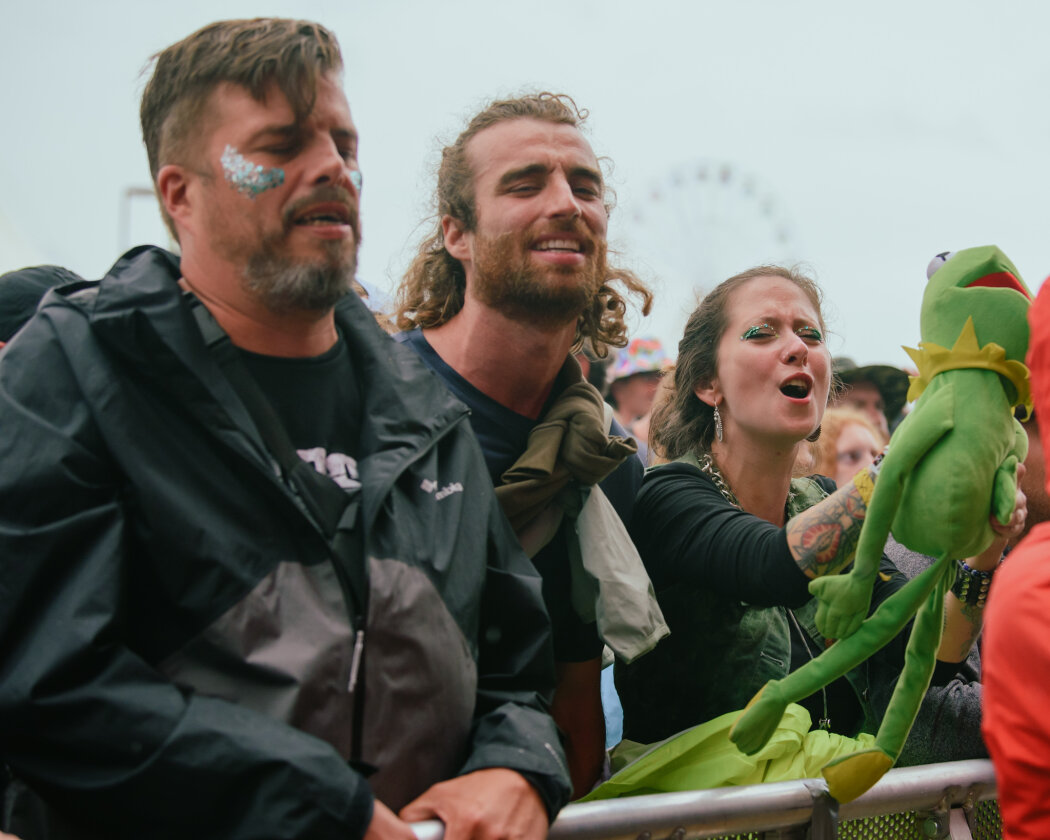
257, 583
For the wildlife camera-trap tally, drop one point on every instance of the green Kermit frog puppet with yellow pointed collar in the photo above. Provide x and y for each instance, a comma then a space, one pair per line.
952, 461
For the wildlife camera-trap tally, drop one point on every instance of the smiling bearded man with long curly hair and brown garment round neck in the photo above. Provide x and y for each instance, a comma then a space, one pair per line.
512, 281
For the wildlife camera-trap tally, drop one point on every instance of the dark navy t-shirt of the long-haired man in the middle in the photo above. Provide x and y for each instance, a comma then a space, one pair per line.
503, 435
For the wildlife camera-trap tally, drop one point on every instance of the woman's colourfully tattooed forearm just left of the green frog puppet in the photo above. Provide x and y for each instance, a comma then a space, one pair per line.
824, 539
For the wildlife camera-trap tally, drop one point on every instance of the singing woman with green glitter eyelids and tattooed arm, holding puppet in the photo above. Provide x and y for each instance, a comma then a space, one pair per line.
731, 539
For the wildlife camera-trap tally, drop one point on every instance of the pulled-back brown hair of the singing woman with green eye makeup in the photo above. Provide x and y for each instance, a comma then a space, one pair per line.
681, 421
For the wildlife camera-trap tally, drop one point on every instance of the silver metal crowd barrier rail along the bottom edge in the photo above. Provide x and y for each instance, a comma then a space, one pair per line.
949, 801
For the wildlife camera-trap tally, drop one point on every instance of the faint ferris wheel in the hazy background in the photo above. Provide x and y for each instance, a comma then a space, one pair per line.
703, 222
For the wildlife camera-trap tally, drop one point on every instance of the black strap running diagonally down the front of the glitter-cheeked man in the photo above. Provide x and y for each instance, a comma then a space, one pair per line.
328, 505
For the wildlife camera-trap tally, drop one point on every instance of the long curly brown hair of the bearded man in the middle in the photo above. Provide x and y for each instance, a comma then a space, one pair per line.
434, 287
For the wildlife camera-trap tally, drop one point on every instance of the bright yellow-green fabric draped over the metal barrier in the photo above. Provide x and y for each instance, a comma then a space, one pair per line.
704, 758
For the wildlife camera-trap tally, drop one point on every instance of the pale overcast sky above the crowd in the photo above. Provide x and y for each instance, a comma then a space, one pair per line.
859, 139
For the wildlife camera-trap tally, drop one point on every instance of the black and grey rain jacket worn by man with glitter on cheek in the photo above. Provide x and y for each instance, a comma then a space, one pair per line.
175, 644
